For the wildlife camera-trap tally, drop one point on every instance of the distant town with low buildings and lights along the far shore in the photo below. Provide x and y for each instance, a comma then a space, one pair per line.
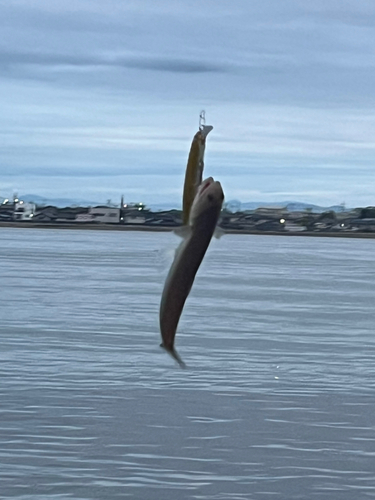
288, 219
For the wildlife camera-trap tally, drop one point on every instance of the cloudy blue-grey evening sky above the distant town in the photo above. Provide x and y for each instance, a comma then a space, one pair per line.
100, 99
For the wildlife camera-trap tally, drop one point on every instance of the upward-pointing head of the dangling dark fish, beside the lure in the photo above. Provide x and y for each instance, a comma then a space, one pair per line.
209, 199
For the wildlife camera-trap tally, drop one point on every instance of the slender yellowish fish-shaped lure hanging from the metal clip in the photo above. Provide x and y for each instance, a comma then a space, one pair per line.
194, 170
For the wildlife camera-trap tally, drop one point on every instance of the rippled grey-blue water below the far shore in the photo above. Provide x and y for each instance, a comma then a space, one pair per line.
277, 401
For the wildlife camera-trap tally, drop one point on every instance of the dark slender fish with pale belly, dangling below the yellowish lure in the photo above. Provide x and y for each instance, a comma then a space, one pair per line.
203, 218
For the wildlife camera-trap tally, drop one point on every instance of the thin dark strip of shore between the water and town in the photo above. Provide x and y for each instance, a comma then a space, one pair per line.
118, 227
